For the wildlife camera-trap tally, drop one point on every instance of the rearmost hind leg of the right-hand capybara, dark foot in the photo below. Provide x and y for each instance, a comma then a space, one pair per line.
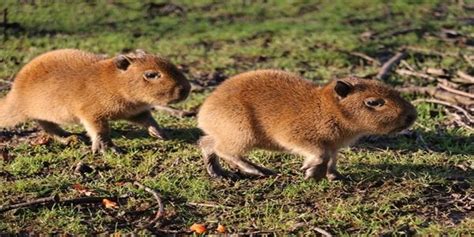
211, 160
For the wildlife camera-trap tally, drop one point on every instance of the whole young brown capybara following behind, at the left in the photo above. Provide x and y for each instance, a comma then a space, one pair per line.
73, 86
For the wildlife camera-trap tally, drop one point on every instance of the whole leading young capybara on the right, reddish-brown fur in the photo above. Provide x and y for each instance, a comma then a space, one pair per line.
280, 111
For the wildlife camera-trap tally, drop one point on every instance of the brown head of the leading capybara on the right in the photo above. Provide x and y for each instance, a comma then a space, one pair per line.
372, 106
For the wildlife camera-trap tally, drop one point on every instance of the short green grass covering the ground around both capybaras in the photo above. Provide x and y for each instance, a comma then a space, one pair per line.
398, 185
